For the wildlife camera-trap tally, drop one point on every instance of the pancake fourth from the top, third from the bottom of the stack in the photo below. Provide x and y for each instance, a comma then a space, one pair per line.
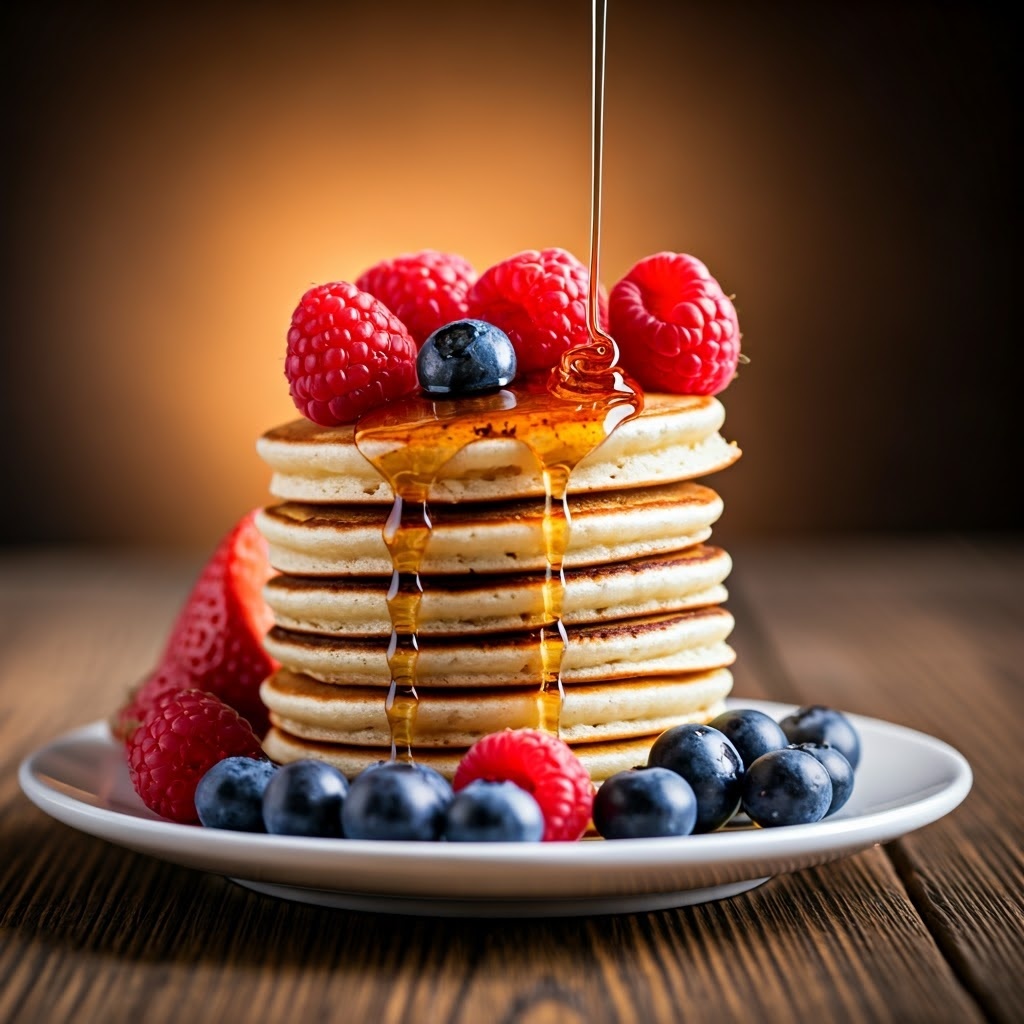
654, 646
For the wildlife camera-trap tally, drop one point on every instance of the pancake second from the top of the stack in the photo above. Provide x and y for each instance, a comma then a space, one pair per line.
508, 537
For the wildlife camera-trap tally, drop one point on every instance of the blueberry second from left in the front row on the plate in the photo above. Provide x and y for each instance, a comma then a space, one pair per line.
306, 798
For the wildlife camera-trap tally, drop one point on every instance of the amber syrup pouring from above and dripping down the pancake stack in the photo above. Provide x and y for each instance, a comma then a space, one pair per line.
562, 420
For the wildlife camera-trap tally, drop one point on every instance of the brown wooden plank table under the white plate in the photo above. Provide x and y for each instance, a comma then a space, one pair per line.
926, 633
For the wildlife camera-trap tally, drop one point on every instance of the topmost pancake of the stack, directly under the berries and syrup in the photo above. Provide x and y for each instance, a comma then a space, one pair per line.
676, 438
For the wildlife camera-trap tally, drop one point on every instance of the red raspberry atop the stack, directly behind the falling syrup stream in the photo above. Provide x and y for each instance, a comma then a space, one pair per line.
539, 300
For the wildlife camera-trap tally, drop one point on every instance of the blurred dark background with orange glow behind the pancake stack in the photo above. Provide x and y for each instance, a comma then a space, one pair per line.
176, 177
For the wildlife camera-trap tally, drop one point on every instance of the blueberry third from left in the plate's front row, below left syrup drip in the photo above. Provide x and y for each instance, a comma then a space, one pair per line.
397, 801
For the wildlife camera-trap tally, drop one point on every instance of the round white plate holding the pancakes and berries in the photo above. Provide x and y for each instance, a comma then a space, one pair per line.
906, 781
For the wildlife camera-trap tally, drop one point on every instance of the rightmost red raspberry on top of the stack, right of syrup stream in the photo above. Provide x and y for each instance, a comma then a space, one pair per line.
677, 331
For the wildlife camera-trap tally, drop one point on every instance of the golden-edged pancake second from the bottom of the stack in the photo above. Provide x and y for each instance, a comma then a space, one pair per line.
603, 712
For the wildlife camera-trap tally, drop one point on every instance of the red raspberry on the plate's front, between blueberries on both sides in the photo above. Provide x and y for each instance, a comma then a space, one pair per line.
543, 765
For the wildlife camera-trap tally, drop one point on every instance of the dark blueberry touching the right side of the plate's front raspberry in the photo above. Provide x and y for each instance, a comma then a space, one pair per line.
643, 803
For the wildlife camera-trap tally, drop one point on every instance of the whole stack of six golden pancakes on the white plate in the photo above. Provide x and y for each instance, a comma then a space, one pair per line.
648, 636
